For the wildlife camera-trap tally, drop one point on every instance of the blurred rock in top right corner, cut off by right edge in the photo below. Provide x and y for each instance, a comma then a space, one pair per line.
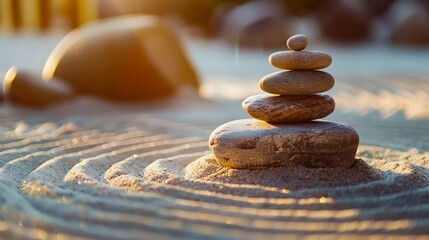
409, 21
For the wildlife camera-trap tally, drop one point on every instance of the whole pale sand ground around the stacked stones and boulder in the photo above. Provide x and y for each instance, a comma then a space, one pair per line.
94, 169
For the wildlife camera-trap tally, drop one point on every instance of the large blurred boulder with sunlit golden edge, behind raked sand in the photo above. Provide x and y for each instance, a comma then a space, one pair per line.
123, 58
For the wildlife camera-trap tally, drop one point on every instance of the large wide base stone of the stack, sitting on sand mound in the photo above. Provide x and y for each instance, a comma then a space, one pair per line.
253, 144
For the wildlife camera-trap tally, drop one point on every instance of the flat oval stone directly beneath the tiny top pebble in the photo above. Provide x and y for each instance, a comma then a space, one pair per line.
300, 60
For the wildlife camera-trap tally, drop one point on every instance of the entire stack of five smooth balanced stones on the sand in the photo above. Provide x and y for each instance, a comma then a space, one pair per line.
284, 131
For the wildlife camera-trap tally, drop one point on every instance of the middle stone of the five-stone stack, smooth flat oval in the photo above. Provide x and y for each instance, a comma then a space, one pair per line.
297, 82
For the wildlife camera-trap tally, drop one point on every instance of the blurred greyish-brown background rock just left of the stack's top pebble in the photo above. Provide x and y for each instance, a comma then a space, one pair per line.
256, 23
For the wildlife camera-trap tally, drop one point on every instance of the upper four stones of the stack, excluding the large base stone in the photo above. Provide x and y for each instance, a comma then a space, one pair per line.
296, 98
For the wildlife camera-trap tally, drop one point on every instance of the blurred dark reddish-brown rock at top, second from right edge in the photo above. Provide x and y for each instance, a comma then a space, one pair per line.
346, 21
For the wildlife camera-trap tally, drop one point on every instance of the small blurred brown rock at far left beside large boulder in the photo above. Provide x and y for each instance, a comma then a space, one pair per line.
30, 89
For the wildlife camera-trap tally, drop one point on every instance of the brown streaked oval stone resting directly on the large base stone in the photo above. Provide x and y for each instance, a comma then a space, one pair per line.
284, 109
